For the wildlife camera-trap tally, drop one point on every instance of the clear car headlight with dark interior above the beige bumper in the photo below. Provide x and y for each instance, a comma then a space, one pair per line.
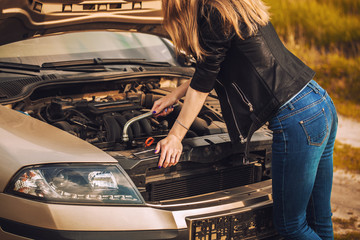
75, 184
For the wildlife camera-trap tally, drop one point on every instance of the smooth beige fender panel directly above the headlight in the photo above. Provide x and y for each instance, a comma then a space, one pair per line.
30, 141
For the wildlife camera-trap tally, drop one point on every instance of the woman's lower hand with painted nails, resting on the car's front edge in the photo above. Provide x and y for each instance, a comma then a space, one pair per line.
171, 149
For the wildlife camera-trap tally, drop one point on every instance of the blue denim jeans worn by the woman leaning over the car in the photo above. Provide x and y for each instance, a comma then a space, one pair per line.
302, 166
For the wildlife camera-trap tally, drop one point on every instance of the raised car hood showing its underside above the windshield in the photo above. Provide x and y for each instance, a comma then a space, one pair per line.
23, 19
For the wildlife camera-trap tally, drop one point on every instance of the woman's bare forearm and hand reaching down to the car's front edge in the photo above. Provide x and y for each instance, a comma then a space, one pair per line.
170, 147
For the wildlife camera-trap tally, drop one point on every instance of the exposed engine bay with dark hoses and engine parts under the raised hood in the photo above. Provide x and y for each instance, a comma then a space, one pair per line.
99, 116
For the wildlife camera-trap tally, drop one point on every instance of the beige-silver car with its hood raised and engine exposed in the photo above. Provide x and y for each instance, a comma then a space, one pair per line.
77, 161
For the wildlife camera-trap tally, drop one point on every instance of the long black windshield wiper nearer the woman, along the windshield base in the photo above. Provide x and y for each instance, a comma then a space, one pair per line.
101, 61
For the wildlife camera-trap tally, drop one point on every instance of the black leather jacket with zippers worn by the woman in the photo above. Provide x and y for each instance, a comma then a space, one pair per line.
253, 77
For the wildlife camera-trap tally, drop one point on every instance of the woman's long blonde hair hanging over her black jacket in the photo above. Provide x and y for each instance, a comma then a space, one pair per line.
180, 20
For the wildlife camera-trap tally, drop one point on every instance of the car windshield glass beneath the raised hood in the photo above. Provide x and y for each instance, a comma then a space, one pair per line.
85, 45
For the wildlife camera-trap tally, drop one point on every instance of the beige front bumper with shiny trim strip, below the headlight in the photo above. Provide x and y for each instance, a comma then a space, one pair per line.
164, 215
